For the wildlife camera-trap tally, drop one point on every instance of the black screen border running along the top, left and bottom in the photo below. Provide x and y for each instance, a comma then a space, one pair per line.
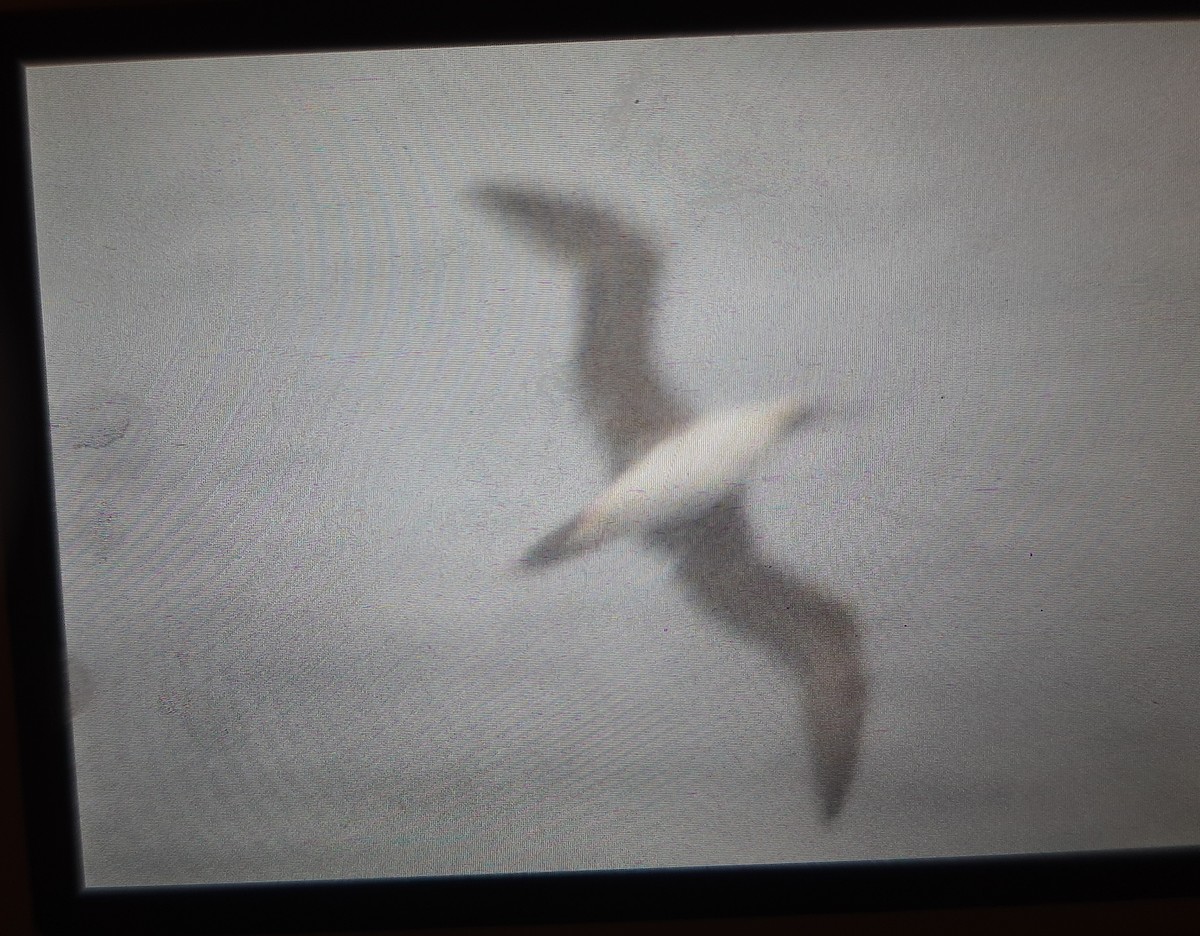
34, 599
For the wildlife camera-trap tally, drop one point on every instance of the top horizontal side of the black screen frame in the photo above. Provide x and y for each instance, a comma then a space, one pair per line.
202, 28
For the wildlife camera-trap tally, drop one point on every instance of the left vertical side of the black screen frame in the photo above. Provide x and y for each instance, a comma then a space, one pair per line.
31, 545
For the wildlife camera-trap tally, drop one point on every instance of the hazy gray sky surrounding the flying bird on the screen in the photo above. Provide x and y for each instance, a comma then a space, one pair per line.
310, 406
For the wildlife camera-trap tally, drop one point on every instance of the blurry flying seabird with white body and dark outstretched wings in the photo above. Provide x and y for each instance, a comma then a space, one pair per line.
680, 479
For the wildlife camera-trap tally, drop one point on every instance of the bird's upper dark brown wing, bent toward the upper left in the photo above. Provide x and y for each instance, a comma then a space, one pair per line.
620, 268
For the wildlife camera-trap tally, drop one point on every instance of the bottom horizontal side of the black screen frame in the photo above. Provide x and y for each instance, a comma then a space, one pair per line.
587, 897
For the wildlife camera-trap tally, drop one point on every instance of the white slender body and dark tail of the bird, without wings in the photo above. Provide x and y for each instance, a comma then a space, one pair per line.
681, 477
